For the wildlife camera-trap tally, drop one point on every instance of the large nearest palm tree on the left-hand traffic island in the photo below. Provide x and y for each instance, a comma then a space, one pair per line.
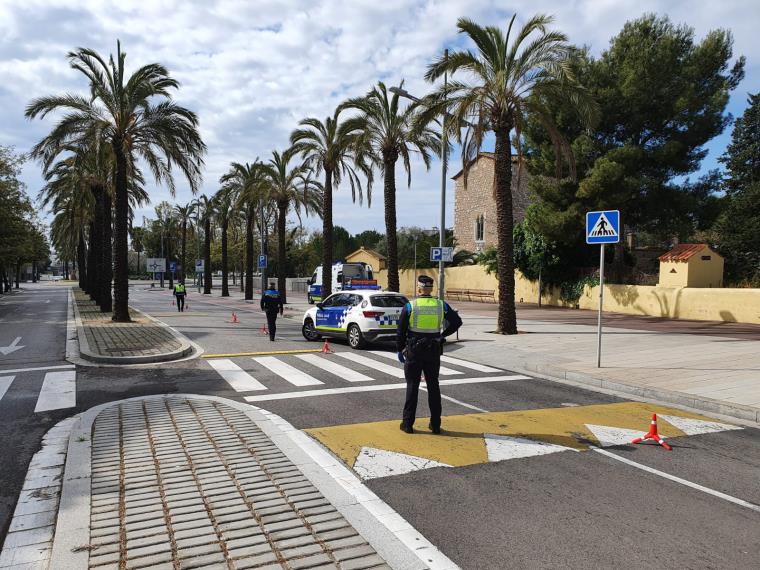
136, 116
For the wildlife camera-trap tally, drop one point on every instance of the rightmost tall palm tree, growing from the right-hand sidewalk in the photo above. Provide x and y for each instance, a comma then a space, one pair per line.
510, 76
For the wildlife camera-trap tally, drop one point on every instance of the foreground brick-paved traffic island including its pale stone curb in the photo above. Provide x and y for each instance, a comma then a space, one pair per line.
186, 480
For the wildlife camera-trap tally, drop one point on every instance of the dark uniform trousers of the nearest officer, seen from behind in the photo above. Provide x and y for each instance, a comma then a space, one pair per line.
423, 356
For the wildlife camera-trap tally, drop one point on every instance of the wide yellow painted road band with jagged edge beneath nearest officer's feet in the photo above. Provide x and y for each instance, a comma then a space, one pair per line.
462, 442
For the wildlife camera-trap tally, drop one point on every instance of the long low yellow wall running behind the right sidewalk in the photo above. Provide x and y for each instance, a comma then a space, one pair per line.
715, 304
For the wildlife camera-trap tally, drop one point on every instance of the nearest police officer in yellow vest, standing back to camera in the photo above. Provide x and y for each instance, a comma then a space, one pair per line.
419, 343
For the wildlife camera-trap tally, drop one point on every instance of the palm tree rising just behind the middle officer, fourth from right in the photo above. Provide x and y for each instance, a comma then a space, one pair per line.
289, 188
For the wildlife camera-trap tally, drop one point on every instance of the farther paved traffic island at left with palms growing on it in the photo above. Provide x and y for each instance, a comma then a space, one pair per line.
143, 340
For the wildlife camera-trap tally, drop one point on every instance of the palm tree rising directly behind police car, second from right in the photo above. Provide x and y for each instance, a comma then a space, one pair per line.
390, 133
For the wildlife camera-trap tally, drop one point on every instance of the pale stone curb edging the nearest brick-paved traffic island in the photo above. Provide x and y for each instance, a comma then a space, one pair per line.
394, 539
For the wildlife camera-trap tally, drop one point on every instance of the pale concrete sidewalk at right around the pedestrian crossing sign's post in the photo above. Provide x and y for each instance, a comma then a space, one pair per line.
717, 374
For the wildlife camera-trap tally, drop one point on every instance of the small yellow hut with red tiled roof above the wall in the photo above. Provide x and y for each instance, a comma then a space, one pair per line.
691, 265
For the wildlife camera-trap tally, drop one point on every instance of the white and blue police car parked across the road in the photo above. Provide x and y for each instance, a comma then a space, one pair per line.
361, 316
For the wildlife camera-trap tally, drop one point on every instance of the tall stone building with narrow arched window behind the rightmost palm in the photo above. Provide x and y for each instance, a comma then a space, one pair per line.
475, 207
